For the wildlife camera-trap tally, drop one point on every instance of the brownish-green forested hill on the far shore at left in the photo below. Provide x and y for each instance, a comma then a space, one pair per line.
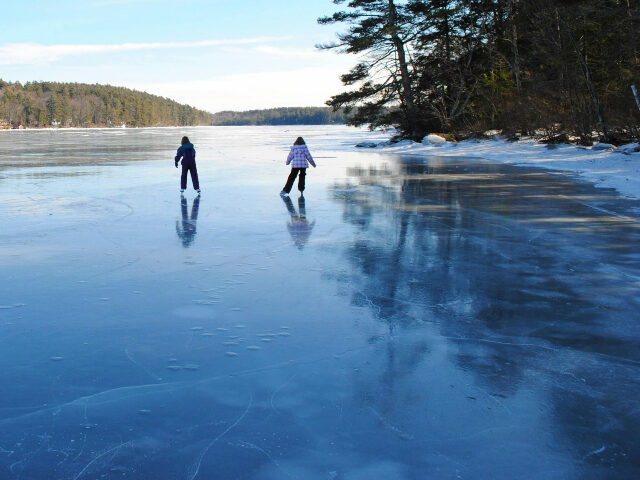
46, 104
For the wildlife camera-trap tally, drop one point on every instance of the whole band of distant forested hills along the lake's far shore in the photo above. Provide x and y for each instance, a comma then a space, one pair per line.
52, 104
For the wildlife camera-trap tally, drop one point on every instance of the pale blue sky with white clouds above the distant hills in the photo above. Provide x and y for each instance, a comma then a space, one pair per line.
213, 54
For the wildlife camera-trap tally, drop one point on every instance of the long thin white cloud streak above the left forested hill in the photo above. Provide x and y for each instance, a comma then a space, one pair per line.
36, 53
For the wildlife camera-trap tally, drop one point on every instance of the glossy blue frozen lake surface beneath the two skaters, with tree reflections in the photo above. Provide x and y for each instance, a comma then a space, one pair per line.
423, 318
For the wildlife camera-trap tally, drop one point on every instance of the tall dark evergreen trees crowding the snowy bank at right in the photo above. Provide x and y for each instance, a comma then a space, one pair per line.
553, 67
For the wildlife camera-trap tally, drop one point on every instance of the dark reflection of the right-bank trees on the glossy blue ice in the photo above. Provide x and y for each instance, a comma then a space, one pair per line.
525, 272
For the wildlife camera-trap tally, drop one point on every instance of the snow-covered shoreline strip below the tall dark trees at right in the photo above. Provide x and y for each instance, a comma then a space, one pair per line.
605, 168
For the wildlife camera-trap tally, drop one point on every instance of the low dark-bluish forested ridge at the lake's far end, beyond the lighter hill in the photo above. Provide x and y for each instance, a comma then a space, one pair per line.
281, 116
